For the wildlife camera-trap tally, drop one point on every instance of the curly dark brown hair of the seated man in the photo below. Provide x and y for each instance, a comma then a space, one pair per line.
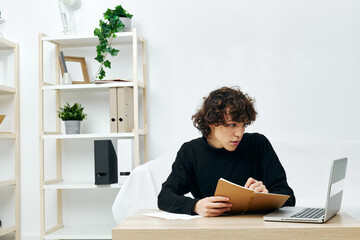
221, 103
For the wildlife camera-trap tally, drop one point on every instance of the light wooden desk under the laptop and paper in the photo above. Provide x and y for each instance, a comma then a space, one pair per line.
252, 227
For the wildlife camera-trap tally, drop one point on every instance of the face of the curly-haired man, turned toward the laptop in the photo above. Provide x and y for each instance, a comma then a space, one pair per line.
228, 136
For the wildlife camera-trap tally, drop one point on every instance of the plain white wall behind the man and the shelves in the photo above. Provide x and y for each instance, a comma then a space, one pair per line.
299, 59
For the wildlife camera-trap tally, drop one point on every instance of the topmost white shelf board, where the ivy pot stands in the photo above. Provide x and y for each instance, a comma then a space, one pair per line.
75, 41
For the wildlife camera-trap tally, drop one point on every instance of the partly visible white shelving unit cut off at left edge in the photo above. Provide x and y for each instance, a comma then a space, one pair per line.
10, 157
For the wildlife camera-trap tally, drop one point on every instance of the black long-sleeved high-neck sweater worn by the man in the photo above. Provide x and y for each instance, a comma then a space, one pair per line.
198, 167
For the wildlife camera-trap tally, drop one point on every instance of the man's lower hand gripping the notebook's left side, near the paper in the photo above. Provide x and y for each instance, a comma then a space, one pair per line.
212, 206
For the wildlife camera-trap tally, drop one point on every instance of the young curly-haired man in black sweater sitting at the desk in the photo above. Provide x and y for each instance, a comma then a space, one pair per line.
224, 151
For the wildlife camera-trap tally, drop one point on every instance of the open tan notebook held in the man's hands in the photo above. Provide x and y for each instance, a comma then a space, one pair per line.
247, 200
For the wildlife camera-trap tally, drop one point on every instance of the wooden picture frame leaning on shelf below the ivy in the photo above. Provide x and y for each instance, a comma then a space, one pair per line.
77, 68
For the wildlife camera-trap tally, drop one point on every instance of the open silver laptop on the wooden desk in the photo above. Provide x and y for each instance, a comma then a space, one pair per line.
317, 215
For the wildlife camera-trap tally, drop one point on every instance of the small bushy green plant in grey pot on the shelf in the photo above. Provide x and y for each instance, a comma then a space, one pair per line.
72, 116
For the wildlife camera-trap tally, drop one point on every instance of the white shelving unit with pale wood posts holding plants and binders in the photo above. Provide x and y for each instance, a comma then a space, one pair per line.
62, 230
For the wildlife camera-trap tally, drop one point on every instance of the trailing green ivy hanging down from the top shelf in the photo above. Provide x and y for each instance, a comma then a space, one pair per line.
109, 25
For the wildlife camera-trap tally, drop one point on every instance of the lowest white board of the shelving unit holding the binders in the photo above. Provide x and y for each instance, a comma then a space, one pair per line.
98, 232
